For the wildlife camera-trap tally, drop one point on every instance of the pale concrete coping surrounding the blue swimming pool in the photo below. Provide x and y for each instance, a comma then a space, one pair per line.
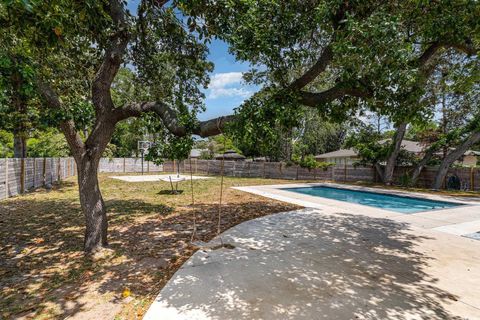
458, 220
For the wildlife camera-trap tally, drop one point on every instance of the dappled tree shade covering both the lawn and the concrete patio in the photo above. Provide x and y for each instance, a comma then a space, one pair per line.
356, 267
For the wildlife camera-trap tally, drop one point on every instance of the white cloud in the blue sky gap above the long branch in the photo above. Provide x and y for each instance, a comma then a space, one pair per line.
228, 84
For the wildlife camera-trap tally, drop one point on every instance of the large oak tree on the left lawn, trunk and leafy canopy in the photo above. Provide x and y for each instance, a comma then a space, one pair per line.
78, 49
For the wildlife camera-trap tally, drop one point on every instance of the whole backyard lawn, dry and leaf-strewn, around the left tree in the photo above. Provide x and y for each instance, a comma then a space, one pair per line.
44, 274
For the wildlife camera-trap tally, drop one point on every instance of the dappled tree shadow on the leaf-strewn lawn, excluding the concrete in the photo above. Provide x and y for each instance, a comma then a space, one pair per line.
43, 270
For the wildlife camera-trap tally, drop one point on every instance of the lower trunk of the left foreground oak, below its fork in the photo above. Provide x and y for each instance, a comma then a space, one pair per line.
93, 206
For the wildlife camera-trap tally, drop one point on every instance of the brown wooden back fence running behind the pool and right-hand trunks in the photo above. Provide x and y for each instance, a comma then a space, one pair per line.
470, 177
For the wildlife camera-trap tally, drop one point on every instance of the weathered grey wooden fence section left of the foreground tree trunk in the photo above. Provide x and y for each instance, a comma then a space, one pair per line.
18, 175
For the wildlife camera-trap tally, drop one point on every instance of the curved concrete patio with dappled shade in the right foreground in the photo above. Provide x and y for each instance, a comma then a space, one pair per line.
316, 264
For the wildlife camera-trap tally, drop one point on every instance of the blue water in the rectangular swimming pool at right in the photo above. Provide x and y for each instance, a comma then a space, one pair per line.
378, 200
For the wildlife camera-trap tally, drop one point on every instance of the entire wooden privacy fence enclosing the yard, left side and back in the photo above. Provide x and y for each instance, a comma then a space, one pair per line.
18, 176
